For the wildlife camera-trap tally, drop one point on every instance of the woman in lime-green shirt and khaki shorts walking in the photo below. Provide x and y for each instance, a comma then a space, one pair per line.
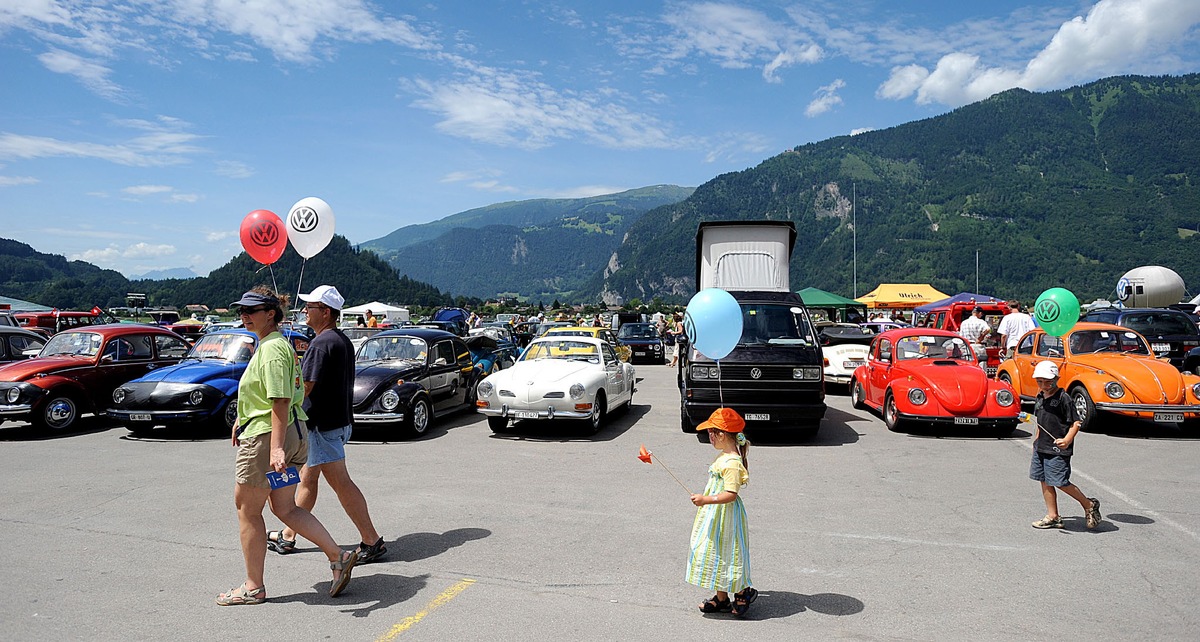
271, 436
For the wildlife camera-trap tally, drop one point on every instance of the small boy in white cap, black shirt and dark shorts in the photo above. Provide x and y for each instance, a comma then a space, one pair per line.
1054, 439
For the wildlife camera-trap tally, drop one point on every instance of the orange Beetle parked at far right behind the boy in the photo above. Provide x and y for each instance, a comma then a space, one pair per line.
1106, 369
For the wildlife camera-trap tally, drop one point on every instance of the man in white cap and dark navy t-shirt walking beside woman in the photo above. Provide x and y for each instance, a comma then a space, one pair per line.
328, 370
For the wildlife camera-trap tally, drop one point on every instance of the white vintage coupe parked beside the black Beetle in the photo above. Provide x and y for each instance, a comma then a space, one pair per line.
569, 377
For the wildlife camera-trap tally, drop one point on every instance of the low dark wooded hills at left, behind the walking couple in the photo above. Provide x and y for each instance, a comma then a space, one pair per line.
361, 277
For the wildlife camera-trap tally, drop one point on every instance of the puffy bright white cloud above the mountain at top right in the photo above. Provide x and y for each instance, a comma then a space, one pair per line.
1115, 38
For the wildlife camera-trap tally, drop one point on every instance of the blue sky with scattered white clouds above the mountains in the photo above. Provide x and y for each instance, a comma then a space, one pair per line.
136, 135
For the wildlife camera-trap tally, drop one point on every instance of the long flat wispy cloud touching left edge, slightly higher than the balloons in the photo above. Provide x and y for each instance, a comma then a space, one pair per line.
164, 145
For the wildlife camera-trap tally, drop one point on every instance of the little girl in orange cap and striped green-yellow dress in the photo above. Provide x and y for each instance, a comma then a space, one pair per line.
721, 538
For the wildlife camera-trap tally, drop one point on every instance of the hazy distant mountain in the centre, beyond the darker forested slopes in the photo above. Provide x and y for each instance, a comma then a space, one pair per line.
542, 250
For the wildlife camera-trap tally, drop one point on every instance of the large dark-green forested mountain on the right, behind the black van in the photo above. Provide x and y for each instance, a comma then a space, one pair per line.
1070, 189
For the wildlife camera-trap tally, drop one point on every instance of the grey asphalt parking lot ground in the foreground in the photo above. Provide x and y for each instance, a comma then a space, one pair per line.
548, 535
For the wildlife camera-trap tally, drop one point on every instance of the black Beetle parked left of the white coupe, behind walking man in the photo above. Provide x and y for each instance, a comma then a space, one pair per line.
410, 376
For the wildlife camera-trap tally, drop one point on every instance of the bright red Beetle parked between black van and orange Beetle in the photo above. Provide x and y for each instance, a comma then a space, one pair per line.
932, 376
